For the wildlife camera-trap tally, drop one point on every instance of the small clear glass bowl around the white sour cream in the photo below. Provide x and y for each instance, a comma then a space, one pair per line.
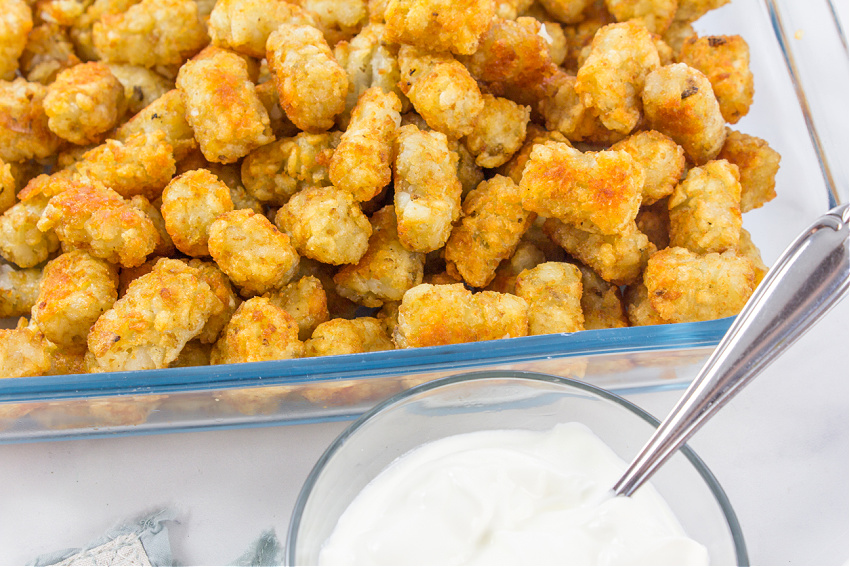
488, 400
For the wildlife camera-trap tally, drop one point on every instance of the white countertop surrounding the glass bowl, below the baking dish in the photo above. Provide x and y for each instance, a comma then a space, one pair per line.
780, 450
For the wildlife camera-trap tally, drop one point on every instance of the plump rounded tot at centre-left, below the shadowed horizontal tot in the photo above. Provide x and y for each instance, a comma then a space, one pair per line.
326, 224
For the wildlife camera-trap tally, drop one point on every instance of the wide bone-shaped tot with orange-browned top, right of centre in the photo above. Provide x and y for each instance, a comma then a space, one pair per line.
598, 191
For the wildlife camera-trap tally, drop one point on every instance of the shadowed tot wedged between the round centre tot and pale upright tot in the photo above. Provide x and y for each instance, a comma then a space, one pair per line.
386, 270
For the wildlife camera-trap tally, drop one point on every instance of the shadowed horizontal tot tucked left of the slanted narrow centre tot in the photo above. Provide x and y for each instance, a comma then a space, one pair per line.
276, 171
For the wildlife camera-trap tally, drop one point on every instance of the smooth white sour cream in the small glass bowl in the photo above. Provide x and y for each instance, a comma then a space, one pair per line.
509, 497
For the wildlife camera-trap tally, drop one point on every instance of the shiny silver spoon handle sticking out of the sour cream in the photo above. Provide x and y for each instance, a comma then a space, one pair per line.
808, 279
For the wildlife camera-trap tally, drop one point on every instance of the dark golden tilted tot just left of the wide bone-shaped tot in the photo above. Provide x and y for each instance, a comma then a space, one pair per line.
493, 221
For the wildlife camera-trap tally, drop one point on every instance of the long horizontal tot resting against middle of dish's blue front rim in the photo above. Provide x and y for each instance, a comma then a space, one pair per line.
432, 315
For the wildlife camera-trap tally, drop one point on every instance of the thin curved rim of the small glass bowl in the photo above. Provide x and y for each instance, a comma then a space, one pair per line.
698, 464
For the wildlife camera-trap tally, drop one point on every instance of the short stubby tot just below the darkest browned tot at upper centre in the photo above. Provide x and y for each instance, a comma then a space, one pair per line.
498, 132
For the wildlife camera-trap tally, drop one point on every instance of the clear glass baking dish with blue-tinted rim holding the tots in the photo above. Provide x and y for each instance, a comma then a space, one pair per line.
342, 387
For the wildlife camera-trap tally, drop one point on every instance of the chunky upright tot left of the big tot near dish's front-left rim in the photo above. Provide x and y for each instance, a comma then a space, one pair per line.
75, 290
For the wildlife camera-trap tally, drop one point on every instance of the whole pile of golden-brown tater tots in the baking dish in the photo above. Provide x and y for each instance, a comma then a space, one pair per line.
200, 182
